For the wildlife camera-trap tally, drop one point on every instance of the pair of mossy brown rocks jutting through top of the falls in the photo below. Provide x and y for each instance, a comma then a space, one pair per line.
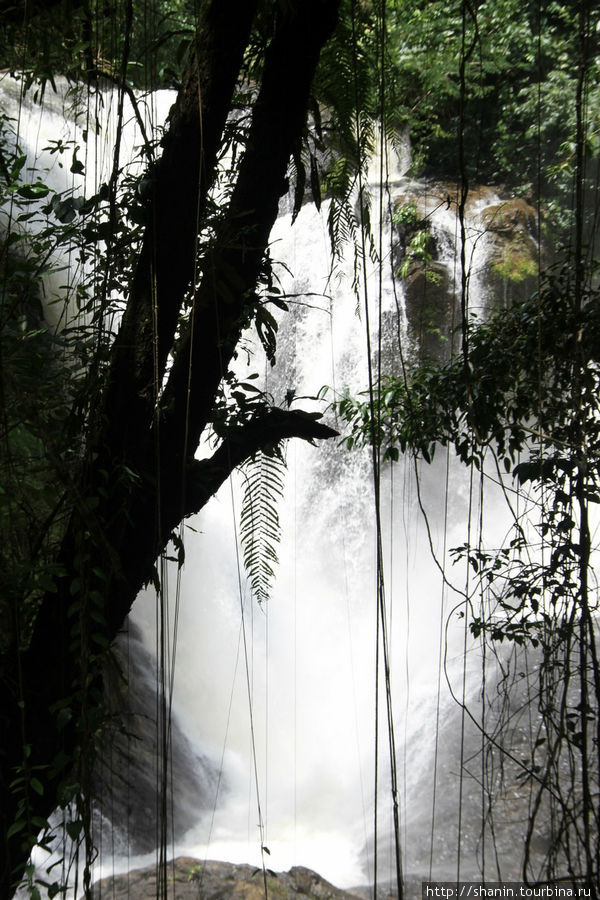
501, 255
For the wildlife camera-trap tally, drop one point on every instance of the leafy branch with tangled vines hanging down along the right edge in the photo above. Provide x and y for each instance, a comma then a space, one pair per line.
524, 410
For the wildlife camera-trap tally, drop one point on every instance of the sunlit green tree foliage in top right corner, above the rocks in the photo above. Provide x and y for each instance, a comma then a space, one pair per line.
519, 63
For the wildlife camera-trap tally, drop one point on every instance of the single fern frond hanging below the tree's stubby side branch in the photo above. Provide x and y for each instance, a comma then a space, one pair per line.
260, 530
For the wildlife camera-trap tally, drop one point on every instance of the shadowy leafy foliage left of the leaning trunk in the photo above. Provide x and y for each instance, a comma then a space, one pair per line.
54, 344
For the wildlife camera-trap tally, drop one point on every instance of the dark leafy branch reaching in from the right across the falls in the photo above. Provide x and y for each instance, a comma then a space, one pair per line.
509, 396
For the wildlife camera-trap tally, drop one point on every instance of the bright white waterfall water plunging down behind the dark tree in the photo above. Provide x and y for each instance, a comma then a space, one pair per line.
305, 666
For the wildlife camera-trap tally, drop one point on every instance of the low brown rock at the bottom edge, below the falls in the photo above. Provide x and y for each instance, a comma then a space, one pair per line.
210, 880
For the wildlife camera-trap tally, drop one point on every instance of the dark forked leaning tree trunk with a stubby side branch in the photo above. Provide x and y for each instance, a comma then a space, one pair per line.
140, 478
